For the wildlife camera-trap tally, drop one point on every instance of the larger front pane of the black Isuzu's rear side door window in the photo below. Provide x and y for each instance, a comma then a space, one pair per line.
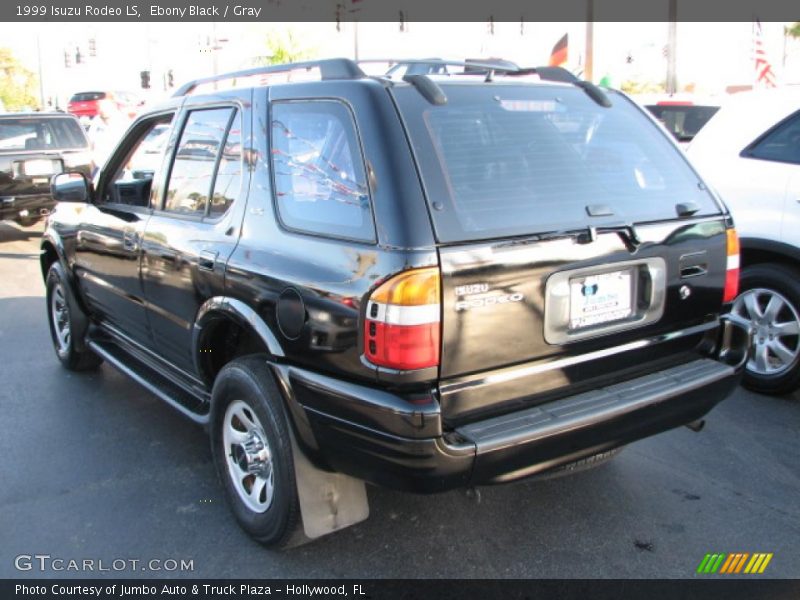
195, 160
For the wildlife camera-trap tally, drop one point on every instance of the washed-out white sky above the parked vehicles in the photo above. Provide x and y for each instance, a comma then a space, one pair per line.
710, 56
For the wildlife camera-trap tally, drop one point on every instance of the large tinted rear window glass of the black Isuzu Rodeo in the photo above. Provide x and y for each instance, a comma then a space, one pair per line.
507, 160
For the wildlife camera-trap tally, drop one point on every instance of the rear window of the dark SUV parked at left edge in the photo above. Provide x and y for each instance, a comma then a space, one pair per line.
38, 133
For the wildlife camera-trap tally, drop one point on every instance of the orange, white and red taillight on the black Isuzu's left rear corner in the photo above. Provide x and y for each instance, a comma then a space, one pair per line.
401, 330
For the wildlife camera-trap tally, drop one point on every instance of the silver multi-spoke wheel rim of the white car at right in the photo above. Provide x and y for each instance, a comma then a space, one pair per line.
776, 326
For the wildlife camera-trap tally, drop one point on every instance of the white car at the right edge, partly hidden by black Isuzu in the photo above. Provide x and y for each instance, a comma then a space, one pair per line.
750, 152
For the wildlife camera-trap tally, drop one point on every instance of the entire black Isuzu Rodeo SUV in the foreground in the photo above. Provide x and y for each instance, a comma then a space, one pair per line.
425, 284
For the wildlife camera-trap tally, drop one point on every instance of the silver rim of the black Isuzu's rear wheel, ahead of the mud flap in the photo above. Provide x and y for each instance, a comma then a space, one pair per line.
248, 456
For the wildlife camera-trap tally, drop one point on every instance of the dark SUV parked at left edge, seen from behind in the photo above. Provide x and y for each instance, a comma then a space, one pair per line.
33, 147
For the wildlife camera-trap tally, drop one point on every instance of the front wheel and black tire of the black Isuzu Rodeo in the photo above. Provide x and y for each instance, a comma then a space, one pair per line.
70, 349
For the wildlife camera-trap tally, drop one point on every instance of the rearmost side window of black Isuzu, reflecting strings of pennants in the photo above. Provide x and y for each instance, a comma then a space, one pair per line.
320, 181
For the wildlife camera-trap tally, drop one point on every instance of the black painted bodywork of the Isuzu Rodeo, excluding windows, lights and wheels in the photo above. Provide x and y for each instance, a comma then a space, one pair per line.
155, 282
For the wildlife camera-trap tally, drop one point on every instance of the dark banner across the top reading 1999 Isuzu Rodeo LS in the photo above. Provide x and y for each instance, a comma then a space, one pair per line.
392, 10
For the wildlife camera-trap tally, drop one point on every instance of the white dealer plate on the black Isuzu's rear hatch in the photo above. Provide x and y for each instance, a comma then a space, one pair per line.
597, 299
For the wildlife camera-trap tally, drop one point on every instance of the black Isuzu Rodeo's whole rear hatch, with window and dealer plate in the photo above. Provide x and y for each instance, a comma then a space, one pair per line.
572, 238
